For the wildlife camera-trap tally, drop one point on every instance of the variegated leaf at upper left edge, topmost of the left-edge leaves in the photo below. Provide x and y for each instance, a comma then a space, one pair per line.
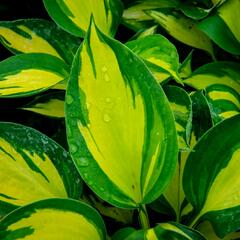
38, 36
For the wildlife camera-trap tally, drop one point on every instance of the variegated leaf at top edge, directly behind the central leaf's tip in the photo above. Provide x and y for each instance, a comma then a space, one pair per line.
69, 14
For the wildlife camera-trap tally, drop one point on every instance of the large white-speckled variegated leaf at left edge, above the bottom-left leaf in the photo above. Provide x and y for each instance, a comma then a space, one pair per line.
33, 167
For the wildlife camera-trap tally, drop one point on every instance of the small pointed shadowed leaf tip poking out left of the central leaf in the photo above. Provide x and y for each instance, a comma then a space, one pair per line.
51, 105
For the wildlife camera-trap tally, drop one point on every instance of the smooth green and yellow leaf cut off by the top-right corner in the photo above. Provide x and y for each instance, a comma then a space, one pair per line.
223, 28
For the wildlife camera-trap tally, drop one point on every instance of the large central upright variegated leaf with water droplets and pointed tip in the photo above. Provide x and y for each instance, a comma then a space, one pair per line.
120, 126
